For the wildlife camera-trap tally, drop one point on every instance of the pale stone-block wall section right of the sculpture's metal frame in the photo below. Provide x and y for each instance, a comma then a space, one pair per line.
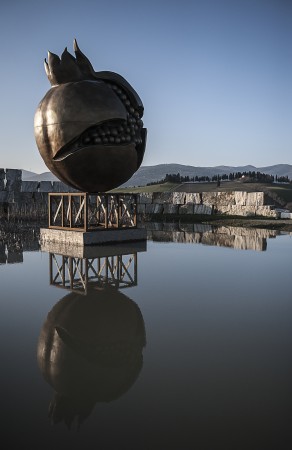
239, 203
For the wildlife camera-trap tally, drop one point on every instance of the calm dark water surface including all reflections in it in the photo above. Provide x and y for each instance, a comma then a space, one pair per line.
181, 343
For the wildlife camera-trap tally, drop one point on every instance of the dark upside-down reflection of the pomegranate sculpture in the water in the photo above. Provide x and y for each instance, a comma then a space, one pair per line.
90, 350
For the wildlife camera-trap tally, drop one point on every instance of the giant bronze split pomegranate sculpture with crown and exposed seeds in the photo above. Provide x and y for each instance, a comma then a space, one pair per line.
88, 127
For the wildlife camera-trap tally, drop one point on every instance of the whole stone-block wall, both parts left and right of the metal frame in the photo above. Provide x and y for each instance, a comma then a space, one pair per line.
30, 199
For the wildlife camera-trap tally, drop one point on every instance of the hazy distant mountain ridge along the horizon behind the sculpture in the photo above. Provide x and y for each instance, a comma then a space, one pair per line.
149, 174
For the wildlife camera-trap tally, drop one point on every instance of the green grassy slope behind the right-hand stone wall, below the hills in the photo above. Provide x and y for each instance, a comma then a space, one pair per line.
283, 191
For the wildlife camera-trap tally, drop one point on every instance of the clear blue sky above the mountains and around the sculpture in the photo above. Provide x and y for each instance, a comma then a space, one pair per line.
215, 76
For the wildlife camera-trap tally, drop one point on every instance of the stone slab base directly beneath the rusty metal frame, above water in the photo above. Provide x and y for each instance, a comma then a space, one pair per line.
85, 238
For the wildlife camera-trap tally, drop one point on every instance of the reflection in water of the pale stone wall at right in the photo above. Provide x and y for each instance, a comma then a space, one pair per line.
233, 237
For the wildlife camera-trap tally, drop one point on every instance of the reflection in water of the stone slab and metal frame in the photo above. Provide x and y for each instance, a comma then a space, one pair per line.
79, 268
